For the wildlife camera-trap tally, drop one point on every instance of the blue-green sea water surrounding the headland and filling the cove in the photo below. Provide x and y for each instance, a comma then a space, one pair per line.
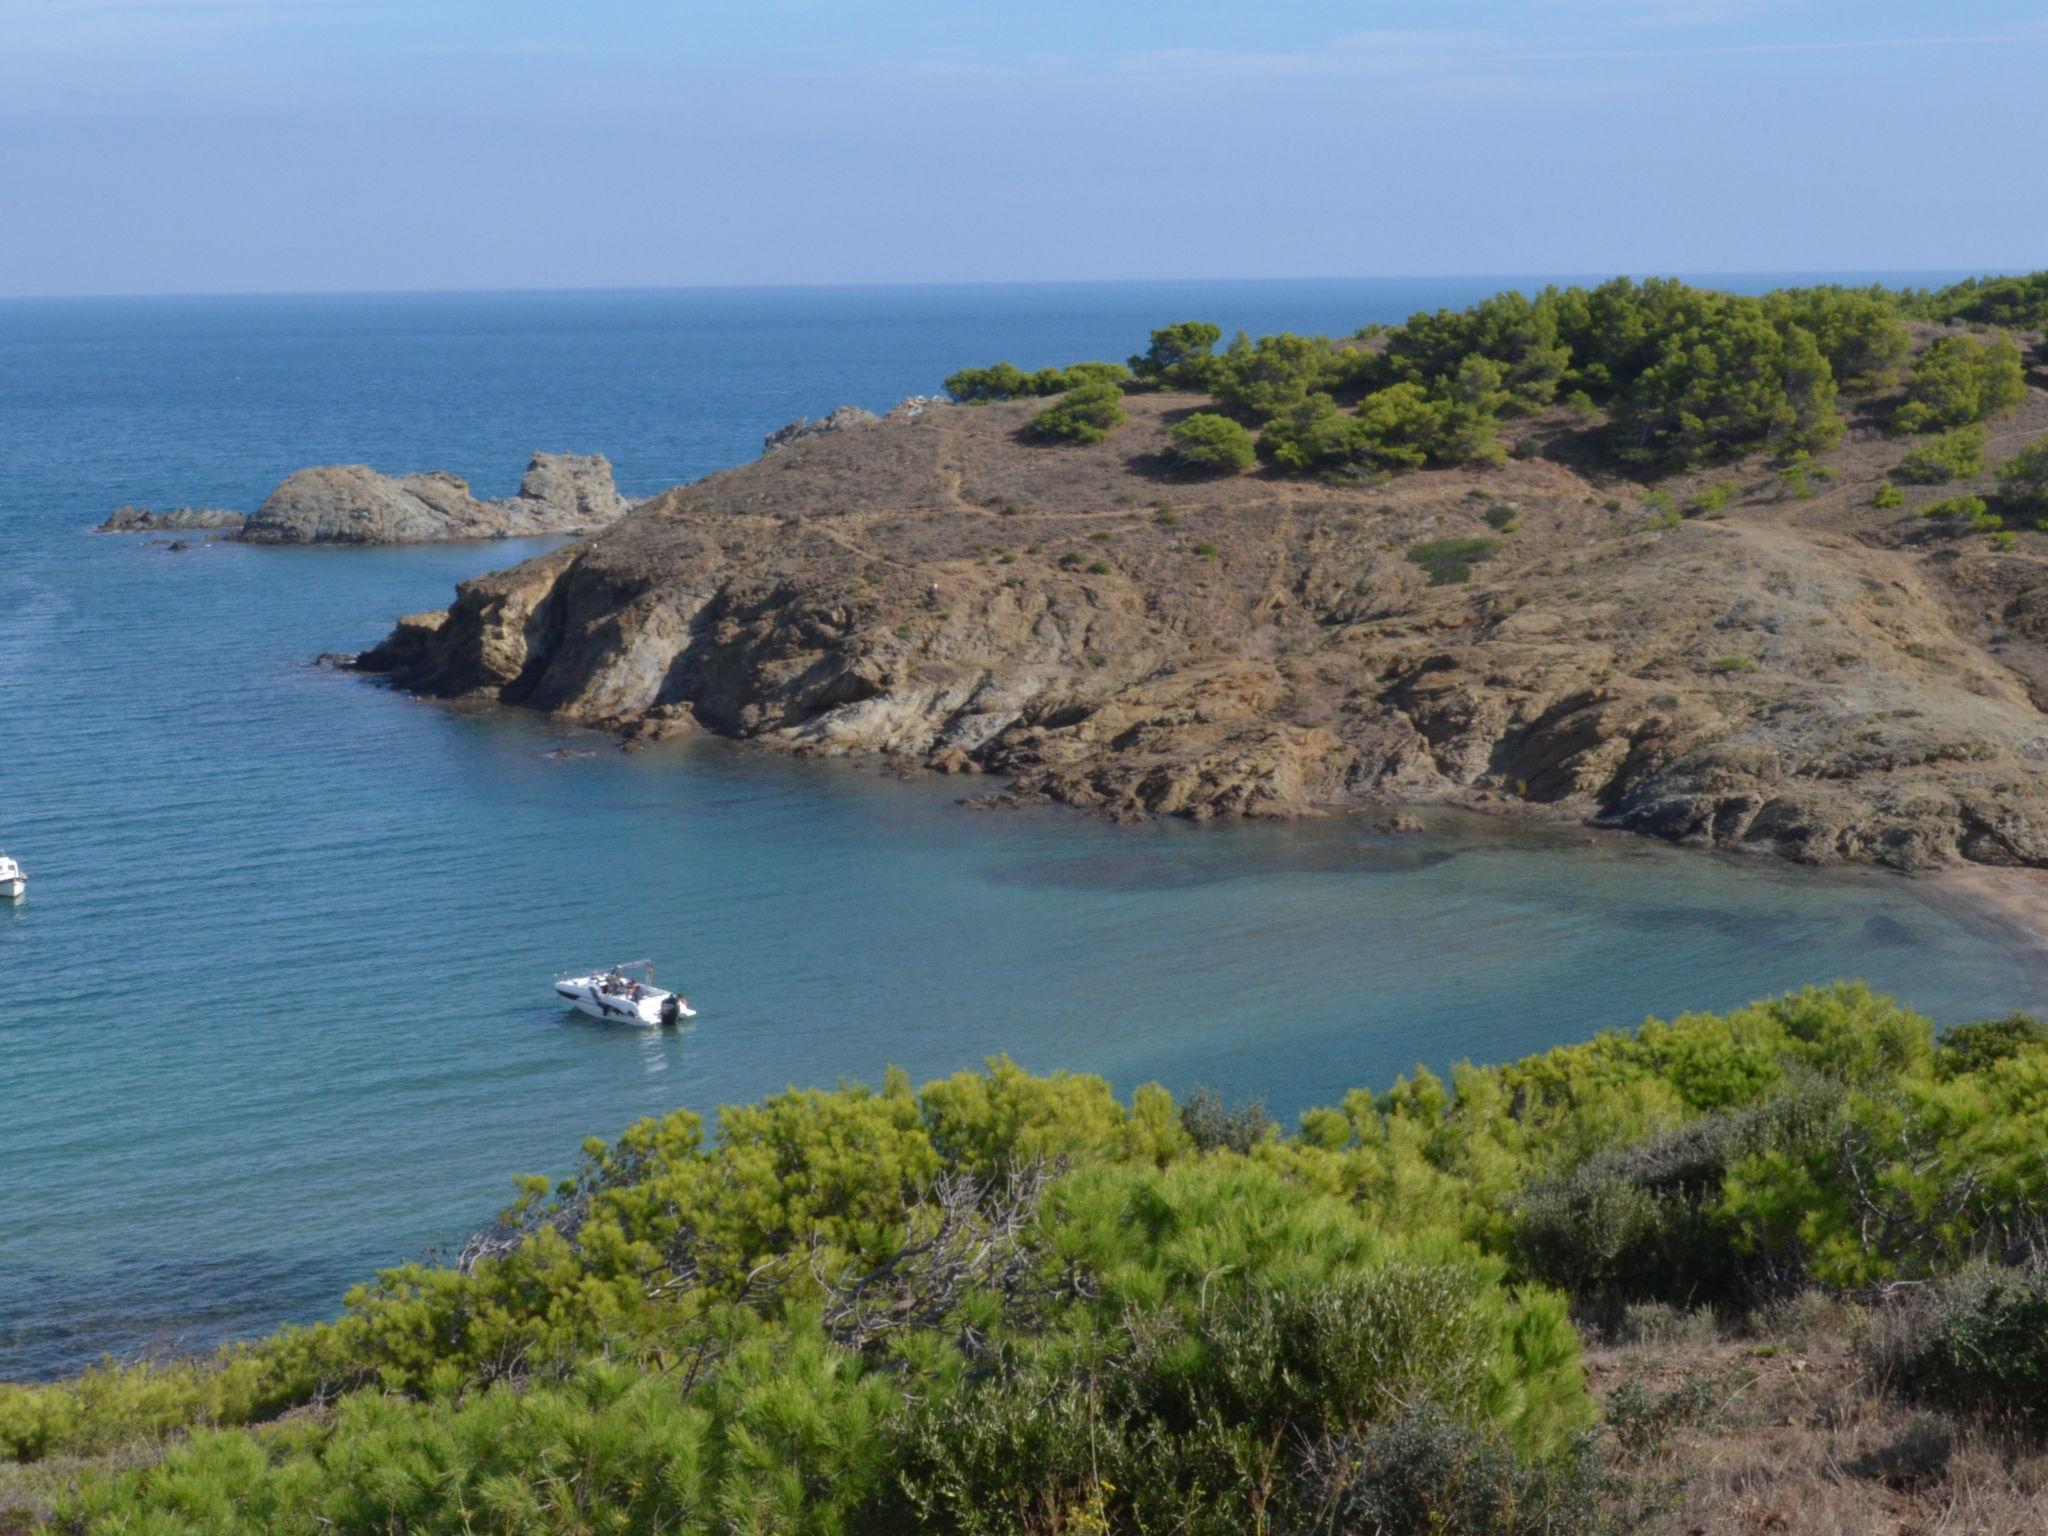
275, 1011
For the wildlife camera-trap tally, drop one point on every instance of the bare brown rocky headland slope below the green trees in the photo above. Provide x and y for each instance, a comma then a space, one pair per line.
1809, 677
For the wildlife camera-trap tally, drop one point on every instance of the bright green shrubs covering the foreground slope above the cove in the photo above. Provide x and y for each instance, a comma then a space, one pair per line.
1011, 1304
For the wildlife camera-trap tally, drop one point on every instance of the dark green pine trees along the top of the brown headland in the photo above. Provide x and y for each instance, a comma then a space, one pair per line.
1676, 376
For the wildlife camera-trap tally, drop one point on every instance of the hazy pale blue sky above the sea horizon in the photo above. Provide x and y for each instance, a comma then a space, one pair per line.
380, 144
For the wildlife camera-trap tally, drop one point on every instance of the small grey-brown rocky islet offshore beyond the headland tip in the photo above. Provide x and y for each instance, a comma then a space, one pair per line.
355, 505
